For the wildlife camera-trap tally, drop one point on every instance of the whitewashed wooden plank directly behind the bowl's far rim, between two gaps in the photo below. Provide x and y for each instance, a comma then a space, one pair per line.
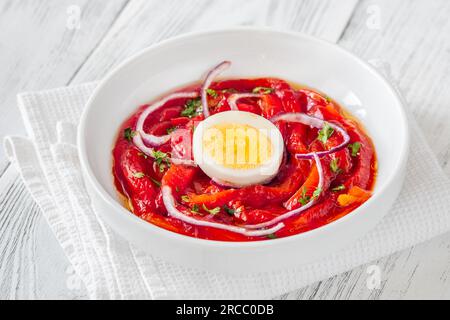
145, 22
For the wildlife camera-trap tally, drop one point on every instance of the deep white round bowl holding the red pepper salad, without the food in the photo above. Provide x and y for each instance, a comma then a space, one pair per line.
254, 52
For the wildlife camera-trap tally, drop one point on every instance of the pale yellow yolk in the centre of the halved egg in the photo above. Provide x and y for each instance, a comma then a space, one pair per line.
237, 146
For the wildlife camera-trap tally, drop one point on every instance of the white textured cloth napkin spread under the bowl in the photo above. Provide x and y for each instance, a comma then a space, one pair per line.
112, 269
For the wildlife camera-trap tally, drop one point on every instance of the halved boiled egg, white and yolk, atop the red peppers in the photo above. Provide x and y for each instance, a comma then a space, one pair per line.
238, 148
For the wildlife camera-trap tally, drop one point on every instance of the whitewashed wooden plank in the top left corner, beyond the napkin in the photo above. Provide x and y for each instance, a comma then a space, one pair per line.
42, 48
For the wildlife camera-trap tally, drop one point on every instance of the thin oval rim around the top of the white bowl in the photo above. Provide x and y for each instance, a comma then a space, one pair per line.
404, 153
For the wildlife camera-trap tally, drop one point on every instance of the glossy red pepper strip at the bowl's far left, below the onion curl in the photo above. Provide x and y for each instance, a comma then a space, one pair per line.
135, 178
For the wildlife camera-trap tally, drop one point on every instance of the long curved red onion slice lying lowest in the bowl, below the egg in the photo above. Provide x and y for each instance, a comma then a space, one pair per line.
169, 203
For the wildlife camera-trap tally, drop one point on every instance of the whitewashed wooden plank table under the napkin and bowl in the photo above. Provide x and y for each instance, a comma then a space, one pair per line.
45, 44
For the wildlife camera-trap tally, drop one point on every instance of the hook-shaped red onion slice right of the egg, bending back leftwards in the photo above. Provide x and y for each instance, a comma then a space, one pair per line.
316, 123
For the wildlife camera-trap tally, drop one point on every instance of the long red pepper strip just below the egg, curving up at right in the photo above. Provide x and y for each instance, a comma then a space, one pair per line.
257, 196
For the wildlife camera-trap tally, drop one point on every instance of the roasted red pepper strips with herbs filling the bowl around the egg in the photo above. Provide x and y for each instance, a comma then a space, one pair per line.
349, 174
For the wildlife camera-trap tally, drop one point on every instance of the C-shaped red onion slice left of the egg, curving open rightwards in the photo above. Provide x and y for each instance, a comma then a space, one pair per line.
150, 139
